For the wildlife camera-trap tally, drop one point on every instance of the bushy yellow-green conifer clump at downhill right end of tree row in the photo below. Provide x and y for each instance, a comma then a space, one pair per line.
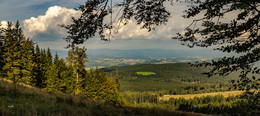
98, 86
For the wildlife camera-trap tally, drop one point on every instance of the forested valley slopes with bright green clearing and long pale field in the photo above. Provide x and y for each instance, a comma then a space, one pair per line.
146, 85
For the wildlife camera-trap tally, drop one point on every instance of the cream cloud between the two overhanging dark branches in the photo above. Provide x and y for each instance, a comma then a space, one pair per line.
175, 24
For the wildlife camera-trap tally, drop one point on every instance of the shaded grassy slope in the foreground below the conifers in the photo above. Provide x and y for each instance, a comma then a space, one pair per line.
29, 101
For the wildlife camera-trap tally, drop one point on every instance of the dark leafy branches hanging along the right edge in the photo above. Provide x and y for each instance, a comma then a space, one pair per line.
238, 34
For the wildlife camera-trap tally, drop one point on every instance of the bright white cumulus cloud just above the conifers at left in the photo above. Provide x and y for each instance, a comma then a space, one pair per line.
48, 24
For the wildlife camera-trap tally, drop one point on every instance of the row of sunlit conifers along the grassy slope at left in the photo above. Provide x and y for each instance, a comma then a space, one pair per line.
24, 62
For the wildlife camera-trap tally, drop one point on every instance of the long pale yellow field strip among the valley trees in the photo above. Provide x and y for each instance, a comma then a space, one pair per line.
191, 96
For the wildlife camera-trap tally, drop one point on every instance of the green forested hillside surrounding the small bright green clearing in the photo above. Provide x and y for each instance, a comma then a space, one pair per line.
170, 78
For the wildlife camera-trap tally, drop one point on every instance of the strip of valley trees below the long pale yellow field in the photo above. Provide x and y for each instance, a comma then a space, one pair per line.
219, 105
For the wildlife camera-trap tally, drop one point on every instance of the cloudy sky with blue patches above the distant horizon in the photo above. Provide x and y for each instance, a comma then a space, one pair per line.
40, 20
